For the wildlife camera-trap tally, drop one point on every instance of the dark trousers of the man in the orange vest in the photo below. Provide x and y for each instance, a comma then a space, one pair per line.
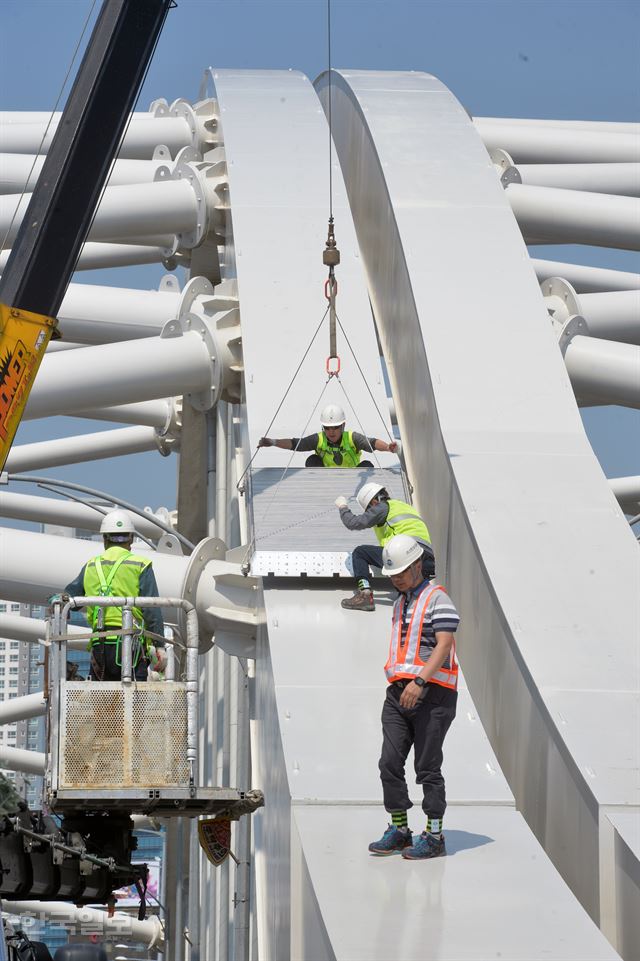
424, 727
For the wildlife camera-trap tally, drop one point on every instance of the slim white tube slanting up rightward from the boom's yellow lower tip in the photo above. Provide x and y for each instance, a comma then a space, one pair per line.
82, 448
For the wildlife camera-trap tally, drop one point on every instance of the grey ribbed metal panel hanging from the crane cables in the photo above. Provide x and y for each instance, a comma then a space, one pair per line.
296, 526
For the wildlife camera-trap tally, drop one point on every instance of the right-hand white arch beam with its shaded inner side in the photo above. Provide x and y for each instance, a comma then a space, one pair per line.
480, 431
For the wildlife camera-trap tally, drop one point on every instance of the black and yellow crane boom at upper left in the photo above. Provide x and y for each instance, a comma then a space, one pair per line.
62, 205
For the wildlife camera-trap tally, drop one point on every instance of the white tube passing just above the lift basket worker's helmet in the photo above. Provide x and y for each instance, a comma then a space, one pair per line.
50, 510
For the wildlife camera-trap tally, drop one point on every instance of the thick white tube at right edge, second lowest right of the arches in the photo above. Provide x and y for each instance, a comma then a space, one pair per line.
604, 372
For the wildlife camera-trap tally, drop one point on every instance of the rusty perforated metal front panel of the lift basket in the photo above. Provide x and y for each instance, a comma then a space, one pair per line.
118, 737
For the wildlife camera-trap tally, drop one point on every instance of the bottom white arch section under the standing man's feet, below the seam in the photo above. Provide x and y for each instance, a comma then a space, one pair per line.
496, 894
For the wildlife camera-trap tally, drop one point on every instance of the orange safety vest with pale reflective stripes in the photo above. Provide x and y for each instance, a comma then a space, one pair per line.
404, 656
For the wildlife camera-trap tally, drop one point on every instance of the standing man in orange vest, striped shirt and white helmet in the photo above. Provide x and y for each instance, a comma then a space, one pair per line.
420, 704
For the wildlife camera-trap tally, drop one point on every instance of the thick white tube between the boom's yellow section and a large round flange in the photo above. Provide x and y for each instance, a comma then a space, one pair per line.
147, 369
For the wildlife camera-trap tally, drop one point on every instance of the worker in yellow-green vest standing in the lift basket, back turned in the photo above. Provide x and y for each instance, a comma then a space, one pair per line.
119, 573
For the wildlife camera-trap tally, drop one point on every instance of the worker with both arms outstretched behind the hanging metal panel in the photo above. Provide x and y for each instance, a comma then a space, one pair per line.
333, 445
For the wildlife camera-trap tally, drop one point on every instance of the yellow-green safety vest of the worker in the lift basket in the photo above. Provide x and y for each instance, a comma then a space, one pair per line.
115, 573
